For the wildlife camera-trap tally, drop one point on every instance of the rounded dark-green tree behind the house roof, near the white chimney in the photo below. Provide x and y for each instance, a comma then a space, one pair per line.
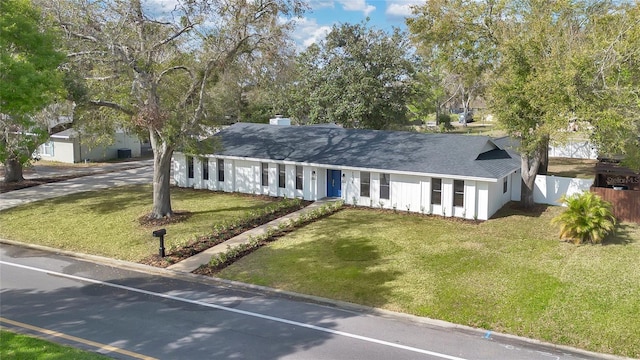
358, 77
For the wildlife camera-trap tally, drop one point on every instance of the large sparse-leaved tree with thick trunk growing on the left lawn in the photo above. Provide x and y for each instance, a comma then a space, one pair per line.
154, 68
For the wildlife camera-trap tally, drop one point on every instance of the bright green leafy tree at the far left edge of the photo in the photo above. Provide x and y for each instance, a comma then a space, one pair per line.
30, 80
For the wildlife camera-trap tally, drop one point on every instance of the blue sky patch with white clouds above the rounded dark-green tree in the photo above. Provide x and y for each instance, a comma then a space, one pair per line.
317, 22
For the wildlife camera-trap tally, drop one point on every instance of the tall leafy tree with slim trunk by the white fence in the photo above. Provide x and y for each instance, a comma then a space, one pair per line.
534, 51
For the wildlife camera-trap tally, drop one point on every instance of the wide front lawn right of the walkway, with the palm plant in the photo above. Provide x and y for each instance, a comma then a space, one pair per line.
509, 274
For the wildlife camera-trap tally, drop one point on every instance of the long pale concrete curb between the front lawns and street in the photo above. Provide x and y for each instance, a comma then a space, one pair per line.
356, 308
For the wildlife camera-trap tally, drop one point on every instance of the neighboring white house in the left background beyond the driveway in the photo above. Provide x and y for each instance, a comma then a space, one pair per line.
68, 146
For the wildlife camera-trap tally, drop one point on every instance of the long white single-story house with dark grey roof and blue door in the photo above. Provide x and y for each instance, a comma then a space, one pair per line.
445, 174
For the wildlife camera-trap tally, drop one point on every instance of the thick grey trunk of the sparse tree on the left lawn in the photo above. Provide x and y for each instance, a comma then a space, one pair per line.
161, 178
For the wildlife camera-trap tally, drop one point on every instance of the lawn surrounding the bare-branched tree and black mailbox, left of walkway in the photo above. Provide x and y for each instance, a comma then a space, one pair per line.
106, 223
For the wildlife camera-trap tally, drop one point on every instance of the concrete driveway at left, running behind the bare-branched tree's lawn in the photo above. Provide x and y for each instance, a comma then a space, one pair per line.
142, 174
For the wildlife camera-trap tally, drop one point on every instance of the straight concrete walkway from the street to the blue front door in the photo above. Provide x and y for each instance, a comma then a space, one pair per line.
192, 263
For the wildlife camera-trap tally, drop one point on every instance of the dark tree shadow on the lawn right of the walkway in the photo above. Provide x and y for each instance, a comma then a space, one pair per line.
340, 264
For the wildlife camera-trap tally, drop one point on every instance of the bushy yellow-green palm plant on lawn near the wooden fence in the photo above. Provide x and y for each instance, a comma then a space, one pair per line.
588, 218
